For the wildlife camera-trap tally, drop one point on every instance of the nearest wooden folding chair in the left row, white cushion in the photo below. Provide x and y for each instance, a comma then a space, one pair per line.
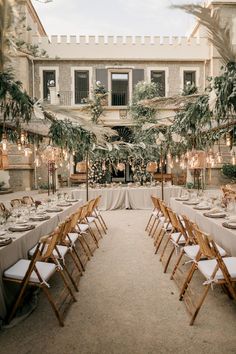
36, 273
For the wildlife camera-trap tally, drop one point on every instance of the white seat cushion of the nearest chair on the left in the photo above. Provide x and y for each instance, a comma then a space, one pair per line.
19, 269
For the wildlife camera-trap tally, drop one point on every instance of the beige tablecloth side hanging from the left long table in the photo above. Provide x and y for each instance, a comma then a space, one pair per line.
22, 242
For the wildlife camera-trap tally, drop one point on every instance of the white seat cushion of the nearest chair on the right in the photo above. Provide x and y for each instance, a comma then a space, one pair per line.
207, 267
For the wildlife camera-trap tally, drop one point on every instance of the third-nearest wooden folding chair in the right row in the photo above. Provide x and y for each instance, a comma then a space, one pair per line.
177, 237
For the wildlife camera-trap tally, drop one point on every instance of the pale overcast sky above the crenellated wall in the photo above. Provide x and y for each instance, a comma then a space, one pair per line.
114, 17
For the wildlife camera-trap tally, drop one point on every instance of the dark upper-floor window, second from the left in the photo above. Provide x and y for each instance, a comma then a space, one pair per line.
81, 86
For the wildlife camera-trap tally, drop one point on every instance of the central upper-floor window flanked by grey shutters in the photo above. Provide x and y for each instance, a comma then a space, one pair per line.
119, 89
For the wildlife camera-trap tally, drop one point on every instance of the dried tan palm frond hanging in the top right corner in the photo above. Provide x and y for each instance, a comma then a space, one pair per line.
219, 35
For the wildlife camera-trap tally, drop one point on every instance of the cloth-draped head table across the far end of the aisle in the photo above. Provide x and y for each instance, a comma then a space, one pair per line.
127, 197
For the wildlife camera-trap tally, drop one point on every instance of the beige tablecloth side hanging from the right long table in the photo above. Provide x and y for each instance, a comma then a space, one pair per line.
223, 236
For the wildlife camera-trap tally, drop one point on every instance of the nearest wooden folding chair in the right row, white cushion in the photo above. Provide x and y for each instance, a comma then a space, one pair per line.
215, 269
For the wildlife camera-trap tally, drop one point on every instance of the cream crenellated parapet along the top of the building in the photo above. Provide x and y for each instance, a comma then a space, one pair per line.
125, 47
